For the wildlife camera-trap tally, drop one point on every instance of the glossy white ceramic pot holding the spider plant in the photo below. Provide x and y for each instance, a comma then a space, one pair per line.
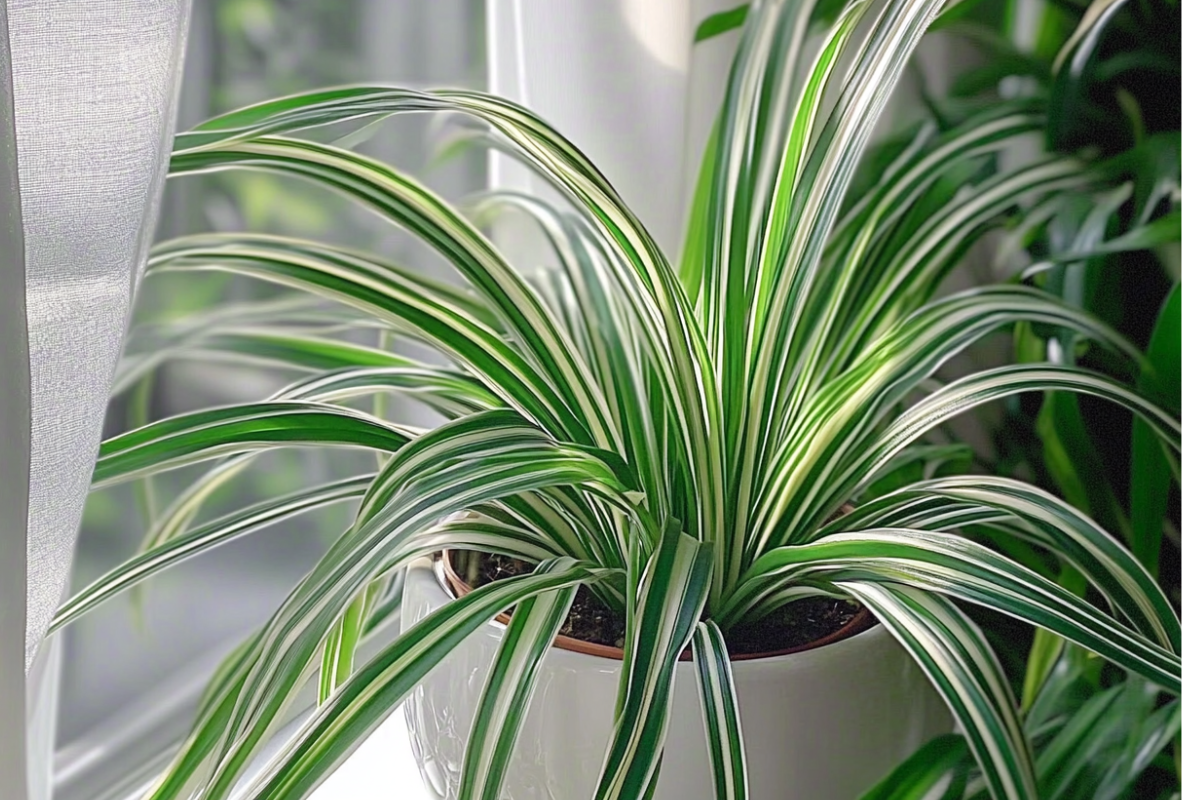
821, 725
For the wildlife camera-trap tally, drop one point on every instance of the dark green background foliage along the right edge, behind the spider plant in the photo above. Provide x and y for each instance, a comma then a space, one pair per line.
1112, 97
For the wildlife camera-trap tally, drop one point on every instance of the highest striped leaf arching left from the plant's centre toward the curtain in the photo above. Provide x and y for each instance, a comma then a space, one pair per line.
657, 298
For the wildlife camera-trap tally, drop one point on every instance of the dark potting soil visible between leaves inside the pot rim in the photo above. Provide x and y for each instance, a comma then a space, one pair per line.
590, 621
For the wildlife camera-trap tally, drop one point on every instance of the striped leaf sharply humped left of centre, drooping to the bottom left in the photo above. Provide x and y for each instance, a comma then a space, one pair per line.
457, 467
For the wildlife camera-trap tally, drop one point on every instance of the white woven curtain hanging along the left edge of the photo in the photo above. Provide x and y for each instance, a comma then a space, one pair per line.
89, 92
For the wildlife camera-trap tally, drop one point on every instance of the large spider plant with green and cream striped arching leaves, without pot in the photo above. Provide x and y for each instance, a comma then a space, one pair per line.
679, 438
